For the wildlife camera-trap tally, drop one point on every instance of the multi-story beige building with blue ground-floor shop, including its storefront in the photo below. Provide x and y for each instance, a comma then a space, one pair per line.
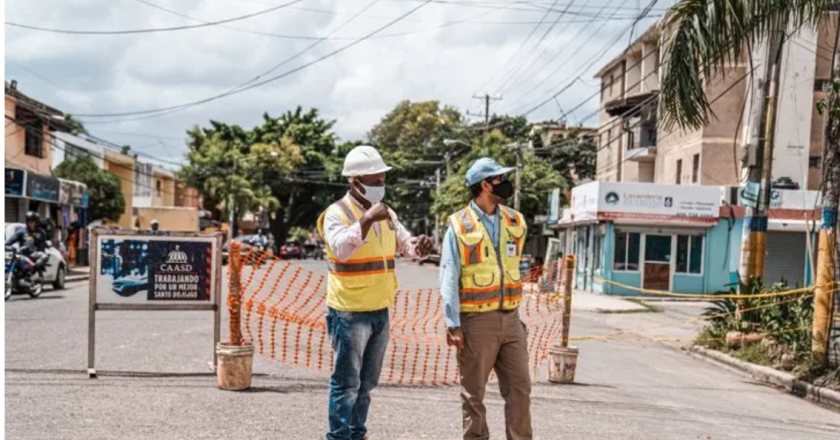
667, 212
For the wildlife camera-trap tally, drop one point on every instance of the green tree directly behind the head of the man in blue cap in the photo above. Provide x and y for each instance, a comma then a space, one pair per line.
537, 180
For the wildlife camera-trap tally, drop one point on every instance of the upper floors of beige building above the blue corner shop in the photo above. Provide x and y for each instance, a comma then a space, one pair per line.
633, 147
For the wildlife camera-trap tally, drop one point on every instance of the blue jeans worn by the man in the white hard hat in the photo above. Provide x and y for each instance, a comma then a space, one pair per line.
359, 341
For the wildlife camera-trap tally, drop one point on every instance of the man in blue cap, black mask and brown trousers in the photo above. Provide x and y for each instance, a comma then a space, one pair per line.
482, 287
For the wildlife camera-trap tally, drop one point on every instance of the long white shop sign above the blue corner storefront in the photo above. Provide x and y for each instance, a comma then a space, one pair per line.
634, 200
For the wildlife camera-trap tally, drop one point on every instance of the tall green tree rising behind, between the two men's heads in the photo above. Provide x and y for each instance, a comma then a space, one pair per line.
410, 138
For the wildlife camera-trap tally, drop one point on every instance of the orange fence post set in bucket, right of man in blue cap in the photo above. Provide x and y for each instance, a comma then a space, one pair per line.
563, 359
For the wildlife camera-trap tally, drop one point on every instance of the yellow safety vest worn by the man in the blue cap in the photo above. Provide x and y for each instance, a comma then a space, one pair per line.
489, 281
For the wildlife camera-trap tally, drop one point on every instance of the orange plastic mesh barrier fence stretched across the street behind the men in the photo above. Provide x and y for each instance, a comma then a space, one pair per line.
284, 309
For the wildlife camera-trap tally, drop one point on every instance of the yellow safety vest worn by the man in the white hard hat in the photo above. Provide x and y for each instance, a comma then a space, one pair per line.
365, 282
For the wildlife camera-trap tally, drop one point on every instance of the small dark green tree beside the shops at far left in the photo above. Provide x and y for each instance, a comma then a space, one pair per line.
106, 200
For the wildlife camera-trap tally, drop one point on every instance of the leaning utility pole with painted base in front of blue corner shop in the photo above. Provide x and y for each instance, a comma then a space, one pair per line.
754, 240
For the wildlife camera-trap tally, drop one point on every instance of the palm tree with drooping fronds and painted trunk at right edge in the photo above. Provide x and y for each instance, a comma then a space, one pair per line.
702, 38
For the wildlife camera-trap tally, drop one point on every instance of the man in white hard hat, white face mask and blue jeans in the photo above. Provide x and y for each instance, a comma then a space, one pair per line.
362, 236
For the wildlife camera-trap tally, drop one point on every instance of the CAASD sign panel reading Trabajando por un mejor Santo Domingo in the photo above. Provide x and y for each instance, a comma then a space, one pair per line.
146, 269
